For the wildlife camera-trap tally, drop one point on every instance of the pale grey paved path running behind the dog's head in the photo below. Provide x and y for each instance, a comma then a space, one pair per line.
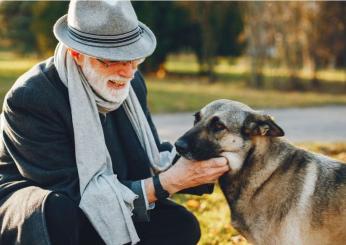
325, 124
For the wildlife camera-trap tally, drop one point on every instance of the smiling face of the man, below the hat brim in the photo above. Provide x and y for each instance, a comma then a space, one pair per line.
110, 80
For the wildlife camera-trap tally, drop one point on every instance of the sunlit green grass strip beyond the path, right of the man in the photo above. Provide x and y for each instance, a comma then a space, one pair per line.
183, 90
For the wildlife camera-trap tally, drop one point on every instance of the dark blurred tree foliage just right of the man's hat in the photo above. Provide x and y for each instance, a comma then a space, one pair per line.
208, 29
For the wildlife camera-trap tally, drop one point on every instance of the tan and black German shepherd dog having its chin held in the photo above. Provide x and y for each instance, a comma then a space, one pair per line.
278, 193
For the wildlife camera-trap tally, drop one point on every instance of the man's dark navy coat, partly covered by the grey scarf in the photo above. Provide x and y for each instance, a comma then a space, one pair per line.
37, 152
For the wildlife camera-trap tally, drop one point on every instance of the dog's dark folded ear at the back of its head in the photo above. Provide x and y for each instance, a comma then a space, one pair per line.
261, 125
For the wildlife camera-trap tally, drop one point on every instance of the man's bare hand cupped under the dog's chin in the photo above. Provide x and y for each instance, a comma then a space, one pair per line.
186, 173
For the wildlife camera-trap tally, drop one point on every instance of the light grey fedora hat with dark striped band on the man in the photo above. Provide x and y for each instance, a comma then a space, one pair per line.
106, 29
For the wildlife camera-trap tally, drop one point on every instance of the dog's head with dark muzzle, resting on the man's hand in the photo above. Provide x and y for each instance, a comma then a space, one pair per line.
225, 128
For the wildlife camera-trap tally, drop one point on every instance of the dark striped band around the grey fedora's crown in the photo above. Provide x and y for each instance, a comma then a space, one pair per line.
105, 40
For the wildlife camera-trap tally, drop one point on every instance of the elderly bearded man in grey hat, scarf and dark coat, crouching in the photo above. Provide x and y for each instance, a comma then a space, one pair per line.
80, 159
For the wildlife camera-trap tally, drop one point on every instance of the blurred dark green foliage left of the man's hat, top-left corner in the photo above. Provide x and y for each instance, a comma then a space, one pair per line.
28, 25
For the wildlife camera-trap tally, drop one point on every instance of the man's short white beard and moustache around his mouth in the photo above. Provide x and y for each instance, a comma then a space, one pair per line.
98, 83
